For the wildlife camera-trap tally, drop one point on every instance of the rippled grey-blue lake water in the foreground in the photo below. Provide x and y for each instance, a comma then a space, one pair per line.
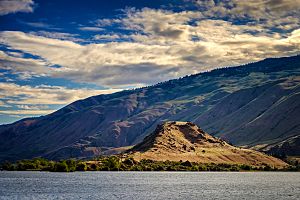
150, 185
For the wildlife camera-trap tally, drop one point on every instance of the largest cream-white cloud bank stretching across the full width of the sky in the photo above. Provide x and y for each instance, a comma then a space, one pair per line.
164, 45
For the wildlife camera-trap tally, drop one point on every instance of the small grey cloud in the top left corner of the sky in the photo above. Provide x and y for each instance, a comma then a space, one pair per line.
14, 6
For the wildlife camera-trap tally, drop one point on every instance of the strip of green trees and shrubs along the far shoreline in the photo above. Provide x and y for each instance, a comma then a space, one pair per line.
115, 163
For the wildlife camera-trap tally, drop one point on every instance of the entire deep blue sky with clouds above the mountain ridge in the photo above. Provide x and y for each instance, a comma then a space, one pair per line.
55, 52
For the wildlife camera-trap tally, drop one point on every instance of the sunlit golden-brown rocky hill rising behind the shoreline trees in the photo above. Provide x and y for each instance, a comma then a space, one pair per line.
175, 141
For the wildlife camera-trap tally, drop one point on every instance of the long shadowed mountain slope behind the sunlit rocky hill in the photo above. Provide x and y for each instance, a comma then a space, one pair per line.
249, 105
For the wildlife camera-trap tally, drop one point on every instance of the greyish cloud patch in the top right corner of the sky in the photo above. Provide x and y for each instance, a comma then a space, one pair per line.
280, 14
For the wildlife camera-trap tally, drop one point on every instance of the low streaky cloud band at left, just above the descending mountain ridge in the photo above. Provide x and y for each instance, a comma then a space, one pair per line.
36, 100
